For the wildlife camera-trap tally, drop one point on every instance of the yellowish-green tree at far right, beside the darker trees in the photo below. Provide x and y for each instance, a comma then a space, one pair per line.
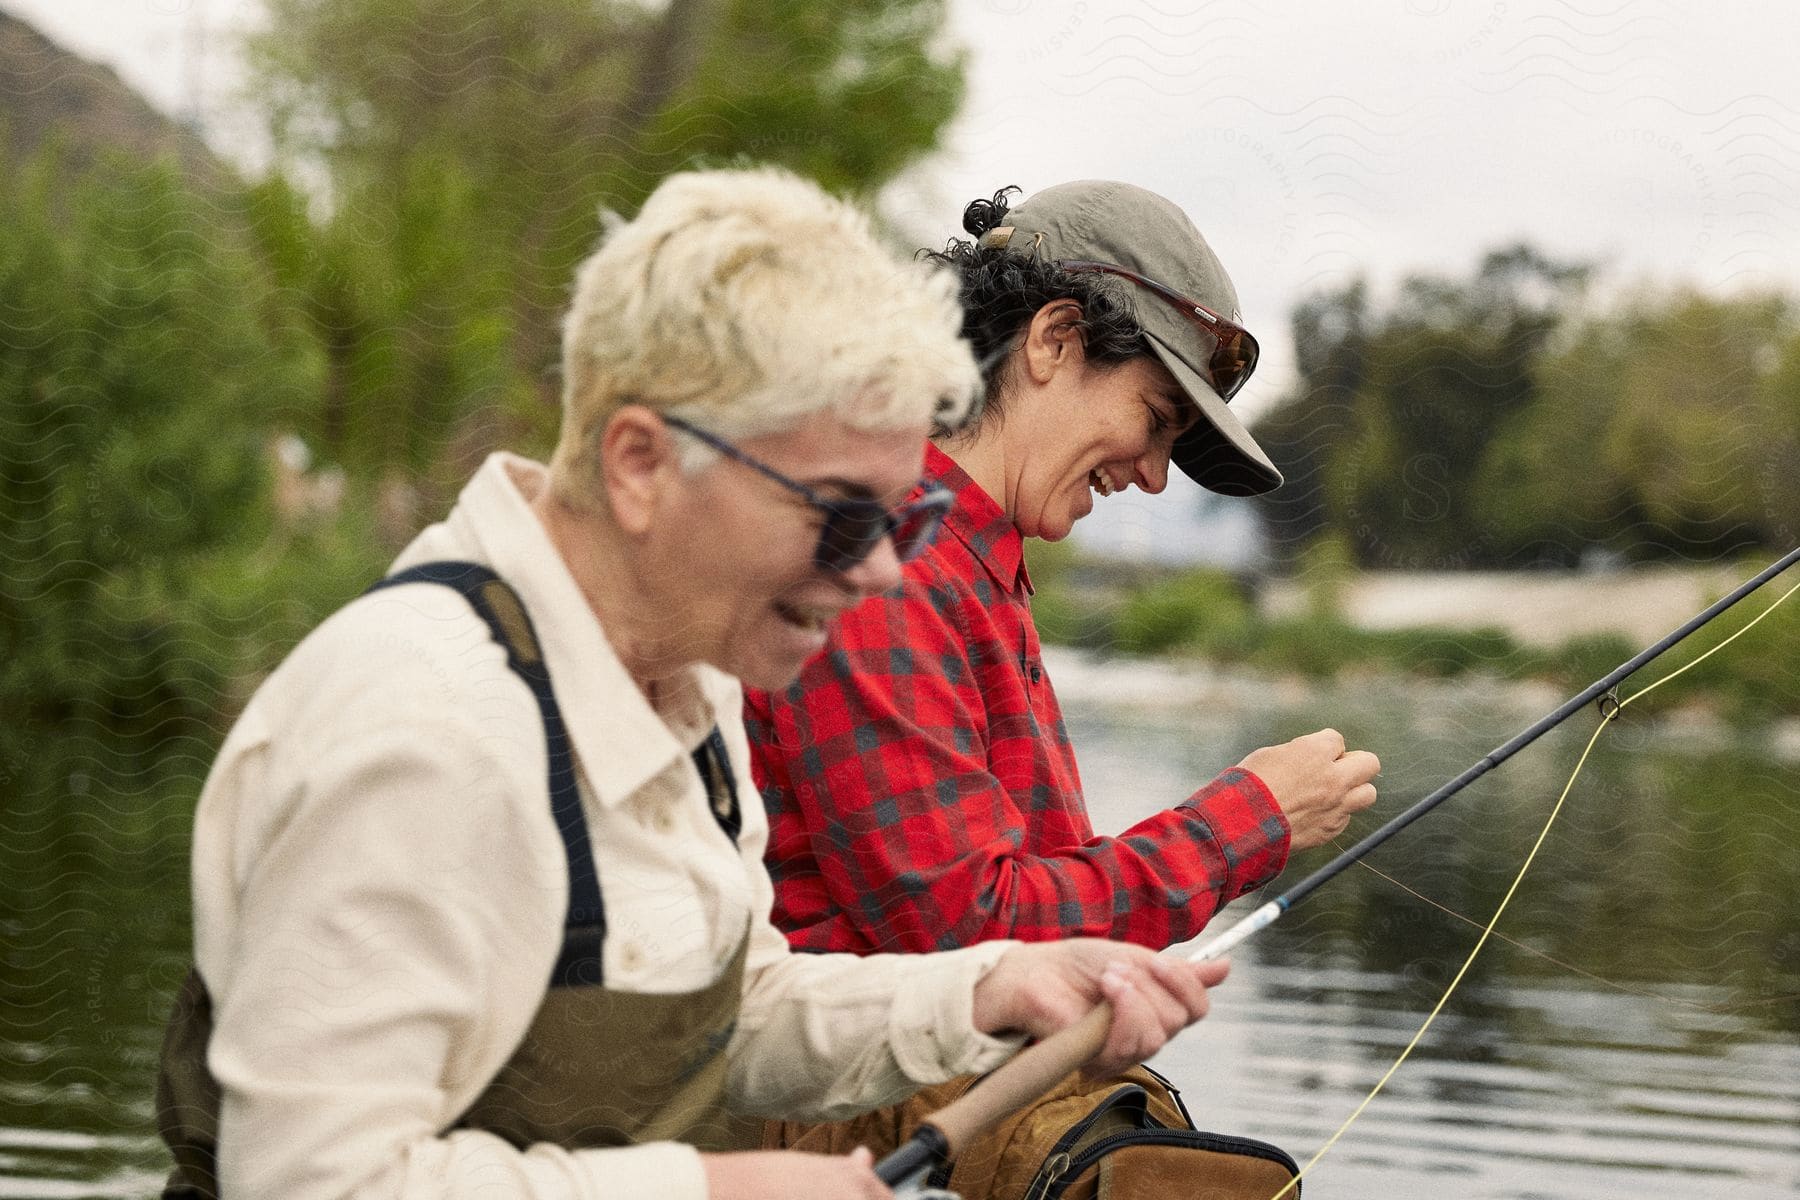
1657, 431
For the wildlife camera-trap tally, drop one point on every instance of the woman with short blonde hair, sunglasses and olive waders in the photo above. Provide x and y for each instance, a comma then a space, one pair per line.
480, 904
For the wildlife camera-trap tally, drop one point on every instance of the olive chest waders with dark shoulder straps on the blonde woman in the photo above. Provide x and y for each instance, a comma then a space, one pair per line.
597, 1068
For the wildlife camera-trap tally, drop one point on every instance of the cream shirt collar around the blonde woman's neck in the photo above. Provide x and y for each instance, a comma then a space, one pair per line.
618, 737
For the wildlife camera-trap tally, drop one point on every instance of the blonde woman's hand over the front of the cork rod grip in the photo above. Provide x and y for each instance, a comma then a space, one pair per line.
1045, 987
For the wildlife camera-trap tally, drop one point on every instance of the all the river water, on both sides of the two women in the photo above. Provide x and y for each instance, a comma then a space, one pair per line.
1633, 1030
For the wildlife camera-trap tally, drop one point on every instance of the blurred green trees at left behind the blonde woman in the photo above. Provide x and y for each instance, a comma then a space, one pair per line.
400, 316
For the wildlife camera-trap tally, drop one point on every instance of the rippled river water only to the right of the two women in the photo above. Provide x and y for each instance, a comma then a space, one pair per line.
1632, 1032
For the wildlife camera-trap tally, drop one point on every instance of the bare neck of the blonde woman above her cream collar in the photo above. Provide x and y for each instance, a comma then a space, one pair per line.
606, 568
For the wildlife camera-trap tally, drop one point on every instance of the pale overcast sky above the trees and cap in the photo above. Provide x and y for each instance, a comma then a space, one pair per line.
1313, 141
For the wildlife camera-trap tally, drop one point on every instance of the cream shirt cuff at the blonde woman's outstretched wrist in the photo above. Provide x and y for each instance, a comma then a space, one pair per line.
933, 1019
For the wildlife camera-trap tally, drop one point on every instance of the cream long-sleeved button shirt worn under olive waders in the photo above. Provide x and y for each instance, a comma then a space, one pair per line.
381, 893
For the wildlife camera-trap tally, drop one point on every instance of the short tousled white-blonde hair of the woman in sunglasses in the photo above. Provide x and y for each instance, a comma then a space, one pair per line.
746, 301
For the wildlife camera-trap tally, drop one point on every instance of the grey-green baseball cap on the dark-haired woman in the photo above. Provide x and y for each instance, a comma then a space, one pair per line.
1110, 224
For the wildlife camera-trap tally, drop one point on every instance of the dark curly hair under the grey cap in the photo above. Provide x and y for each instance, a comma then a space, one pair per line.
1003, 289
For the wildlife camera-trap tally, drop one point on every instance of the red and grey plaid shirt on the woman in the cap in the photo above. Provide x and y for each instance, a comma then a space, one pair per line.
922, 793
